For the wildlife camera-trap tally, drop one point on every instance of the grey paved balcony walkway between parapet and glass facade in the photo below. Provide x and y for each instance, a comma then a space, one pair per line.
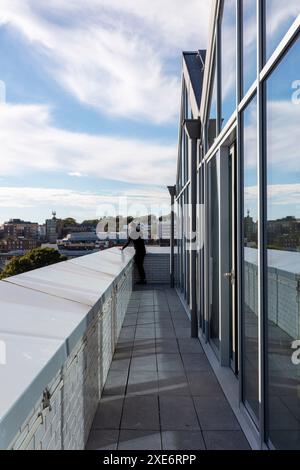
161, 392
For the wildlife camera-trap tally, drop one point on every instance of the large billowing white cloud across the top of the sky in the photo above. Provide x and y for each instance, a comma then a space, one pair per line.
113, 55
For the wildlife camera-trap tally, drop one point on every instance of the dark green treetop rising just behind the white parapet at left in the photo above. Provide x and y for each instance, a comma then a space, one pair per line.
34, 259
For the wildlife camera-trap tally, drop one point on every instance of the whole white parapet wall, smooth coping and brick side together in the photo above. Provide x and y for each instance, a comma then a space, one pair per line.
58, 327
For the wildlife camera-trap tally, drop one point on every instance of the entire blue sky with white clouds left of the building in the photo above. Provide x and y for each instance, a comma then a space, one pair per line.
92, 101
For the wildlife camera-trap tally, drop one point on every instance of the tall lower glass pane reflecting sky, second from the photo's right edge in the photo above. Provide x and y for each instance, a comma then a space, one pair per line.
250, 293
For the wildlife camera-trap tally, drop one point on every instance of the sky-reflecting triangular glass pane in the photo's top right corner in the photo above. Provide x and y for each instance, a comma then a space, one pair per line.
279, 17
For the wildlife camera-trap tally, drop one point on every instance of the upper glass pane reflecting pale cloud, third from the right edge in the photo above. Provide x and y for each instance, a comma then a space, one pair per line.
228, 52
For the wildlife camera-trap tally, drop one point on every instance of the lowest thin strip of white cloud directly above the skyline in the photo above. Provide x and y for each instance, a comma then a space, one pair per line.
80, 204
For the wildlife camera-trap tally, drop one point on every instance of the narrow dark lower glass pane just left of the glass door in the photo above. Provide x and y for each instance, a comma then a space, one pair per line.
214, 270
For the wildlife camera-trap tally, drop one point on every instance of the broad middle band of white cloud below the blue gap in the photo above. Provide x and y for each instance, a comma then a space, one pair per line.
30, 143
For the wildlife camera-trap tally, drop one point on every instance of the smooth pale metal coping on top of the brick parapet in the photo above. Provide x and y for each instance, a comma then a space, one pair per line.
35, 348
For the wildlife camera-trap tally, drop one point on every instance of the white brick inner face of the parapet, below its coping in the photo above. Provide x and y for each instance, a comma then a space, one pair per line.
62, 419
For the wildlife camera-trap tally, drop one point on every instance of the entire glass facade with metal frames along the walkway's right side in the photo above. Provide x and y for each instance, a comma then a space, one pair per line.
248, 266
